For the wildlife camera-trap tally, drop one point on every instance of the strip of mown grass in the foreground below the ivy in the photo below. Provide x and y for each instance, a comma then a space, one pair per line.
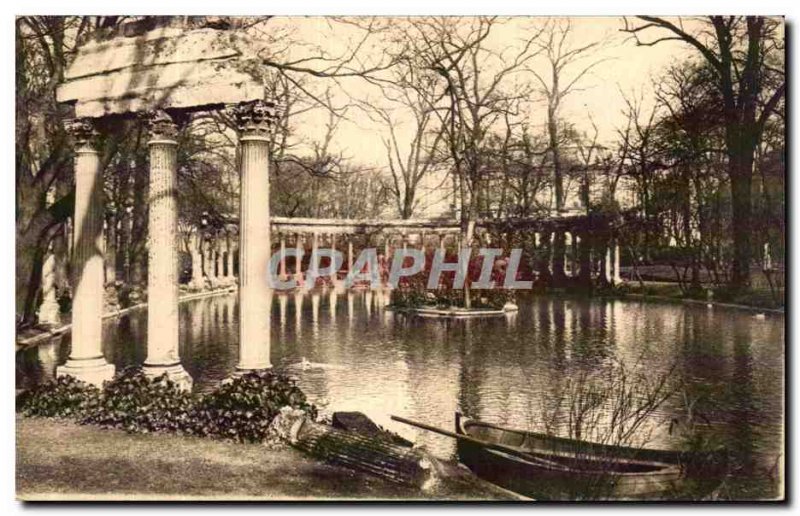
60, 460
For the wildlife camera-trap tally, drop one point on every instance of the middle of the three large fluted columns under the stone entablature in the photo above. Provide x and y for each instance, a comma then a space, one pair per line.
162, 268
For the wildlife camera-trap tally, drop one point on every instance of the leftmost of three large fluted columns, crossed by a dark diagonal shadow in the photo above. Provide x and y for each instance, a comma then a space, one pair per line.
86, 361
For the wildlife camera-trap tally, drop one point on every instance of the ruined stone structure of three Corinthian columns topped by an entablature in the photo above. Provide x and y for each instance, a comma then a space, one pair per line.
165, 68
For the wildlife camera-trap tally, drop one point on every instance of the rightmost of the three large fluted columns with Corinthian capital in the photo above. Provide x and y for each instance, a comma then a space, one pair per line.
255, 295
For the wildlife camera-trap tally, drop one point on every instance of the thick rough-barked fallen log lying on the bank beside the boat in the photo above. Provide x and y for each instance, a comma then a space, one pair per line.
370, 454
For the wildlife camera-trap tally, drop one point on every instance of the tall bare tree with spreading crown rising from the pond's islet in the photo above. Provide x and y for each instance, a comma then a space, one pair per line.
479, 90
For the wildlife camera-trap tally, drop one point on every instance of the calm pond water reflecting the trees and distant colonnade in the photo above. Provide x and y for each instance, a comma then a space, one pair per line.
725, 367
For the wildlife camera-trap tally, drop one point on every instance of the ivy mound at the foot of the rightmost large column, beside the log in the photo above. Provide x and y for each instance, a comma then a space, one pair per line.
243, 408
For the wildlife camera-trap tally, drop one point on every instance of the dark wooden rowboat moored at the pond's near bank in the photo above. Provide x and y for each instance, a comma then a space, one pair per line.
544, 467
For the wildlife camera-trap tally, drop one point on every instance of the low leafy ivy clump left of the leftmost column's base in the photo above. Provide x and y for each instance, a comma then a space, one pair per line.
63, 397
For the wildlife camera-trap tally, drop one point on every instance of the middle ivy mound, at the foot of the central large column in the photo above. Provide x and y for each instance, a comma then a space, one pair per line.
140, 404
